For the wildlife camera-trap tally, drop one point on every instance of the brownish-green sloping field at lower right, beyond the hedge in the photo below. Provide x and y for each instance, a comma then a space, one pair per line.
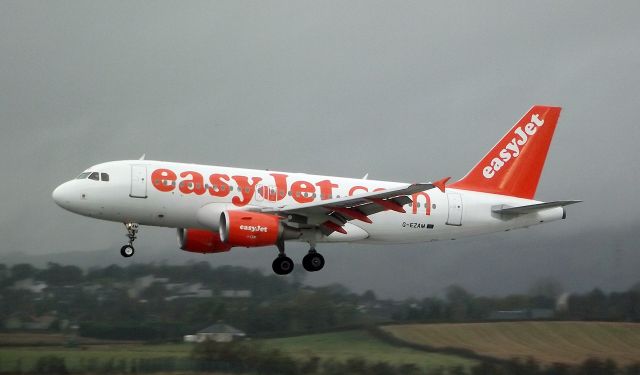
568, 342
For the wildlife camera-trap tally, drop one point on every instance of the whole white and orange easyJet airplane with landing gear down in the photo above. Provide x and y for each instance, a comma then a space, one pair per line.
217, 208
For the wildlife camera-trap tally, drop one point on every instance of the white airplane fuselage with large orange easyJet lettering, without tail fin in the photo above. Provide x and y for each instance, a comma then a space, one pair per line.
133, 193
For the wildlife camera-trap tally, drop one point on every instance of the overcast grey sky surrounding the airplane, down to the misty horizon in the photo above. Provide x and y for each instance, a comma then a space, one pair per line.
407, 91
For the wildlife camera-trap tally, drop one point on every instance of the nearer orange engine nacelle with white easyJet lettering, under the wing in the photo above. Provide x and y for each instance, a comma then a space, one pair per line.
253, 229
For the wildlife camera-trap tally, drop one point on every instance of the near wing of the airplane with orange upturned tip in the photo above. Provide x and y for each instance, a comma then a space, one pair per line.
331, 214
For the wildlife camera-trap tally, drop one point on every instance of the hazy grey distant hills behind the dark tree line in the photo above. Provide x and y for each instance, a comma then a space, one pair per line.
607, 259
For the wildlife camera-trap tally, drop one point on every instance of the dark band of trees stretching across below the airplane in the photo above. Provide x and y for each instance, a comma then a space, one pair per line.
100, 303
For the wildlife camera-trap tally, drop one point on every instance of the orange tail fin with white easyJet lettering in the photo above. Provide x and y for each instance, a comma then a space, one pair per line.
514, 165
